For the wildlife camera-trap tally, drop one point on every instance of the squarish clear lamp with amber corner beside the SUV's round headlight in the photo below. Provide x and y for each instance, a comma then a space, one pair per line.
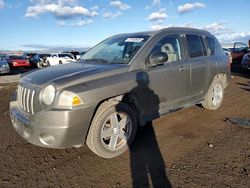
69, 99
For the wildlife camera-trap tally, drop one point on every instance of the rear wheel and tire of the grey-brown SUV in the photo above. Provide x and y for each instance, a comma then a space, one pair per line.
215, 94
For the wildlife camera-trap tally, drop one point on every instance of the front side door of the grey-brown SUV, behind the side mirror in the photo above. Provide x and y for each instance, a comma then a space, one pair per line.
171, 80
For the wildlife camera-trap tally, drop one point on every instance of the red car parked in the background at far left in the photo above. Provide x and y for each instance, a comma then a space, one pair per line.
18, 61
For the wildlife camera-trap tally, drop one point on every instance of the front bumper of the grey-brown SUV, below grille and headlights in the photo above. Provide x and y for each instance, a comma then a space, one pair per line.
53, 128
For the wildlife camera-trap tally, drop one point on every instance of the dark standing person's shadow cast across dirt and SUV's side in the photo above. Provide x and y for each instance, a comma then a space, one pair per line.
147, 164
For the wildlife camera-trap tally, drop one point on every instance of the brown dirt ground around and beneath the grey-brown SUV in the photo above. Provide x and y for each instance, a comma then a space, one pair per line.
189, 148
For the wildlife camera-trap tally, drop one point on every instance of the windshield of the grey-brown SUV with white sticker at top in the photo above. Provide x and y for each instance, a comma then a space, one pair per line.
118, 49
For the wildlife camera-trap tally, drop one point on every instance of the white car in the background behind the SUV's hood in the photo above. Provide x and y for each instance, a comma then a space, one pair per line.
60, 58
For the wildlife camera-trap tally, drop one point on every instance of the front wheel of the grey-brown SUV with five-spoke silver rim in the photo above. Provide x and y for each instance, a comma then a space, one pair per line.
109, 136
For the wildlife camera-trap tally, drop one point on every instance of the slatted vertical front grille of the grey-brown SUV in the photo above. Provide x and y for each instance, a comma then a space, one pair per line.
25, 98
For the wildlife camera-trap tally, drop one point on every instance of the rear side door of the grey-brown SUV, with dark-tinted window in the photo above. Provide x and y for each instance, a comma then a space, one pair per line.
201, 66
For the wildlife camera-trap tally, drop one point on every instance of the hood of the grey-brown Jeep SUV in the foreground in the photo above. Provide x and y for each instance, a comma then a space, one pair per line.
64, 75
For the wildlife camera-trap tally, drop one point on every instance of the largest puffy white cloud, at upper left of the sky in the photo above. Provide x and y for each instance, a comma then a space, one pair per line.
59, 10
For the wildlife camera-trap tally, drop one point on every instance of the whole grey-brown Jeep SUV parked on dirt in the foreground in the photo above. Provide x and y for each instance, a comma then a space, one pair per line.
123, 82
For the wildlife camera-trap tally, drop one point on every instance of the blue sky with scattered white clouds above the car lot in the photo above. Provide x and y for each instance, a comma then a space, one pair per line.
41, 24
